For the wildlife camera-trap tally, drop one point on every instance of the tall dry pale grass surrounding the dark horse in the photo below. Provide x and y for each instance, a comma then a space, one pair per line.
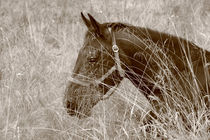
39, 44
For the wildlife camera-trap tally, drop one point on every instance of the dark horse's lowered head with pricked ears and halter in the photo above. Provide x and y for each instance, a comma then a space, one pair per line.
96, 69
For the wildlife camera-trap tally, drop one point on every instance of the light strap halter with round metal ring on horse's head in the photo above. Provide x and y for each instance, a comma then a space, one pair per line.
117, 67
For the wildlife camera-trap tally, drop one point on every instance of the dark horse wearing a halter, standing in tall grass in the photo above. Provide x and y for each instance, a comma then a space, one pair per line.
156, 63
